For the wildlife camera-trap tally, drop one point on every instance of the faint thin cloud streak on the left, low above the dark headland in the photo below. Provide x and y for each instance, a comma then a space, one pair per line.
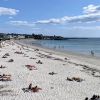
21, 23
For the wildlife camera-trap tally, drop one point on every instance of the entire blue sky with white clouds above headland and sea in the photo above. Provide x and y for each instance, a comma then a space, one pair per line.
69, 18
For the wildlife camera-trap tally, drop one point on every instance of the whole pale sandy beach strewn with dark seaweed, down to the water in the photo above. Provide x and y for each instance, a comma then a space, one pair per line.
58, 76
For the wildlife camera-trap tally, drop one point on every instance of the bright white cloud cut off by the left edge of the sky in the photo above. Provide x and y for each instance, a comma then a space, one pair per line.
8, 11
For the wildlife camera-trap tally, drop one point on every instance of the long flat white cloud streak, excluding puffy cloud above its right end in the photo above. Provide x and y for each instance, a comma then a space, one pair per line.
74, 19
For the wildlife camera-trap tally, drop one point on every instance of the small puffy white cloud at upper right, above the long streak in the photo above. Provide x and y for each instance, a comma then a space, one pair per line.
91, 9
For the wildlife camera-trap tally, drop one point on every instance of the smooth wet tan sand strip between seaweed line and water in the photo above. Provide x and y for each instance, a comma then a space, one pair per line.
81, 57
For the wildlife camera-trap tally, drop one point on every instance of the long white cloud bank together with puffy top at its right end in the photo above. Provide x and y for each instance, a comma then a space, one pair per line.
92, 14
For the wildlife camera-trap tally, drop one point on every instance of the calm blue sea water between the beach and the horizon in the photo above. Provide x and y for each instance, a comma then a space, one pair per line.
81, 46
